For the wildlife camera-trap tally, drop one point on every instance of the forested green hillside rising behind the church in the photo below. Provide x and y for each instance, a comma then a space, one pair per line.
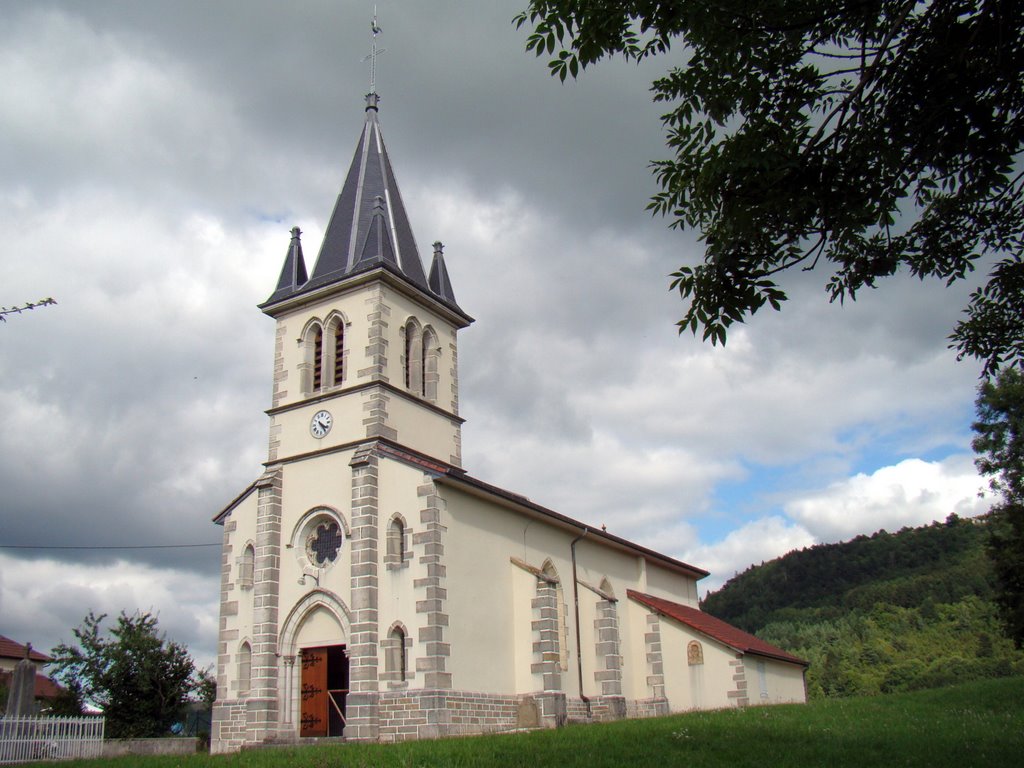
880, 614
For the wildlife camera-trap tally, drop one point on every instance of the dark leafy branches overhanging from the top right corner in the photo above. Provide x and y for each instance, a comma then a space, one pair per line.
862, 137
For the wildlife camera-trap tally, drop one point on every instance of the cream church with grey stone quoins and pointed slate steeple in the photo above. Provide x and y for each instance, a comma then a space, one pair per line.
374, 590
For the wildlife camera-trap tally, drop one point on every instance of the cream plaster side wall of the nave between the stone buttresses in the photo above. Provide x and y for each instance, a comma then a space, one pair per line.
489, 599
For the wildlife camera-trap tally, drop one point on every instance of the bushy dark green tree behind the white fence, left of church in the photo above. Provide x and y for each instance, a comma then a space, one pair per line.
135, 674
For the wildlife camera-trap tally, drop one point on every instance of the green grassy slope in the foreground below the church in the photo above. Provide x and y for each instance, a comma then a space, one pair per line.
975, 724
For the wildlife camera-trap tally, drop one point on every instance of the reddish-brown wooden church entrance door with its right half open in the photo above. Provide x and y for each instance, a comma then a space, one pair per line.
325, 689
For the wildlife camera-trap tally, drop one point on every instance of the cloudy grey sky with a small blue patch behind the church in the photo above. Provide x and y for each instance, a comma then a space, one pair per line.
154, 157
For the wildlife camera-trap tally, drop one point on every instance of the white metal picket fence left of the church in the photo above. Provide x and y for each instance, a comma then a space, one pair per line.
25, 740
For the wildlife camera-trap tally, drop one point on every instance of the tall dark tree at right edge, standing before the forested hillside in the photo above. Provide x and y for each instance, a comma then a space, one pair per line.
1000, 445
